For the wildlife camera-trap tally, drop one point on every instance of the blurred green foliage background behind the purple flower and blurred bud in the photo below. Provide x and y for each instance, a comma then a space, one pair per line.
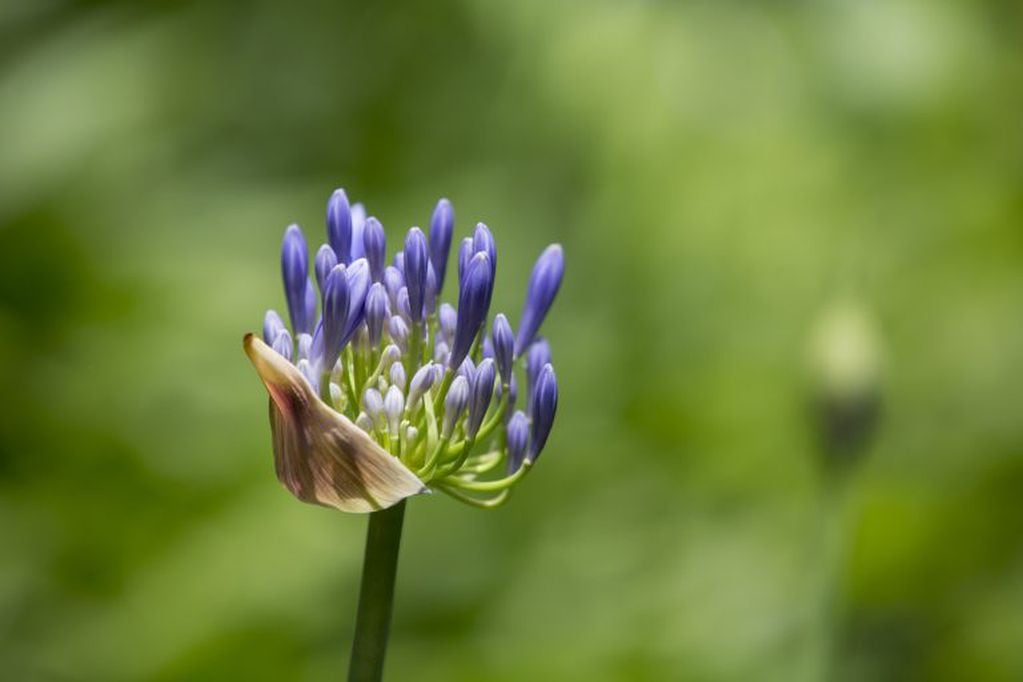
723, 176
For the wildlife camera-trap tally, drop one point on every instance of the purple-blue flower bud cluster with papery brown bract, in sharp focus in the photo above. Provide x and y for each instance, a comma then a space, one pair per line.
379, 391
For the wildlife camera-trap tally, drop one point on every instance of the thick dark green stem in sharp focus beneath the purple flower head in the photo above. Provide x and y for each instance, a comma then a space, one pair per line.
380, 567
